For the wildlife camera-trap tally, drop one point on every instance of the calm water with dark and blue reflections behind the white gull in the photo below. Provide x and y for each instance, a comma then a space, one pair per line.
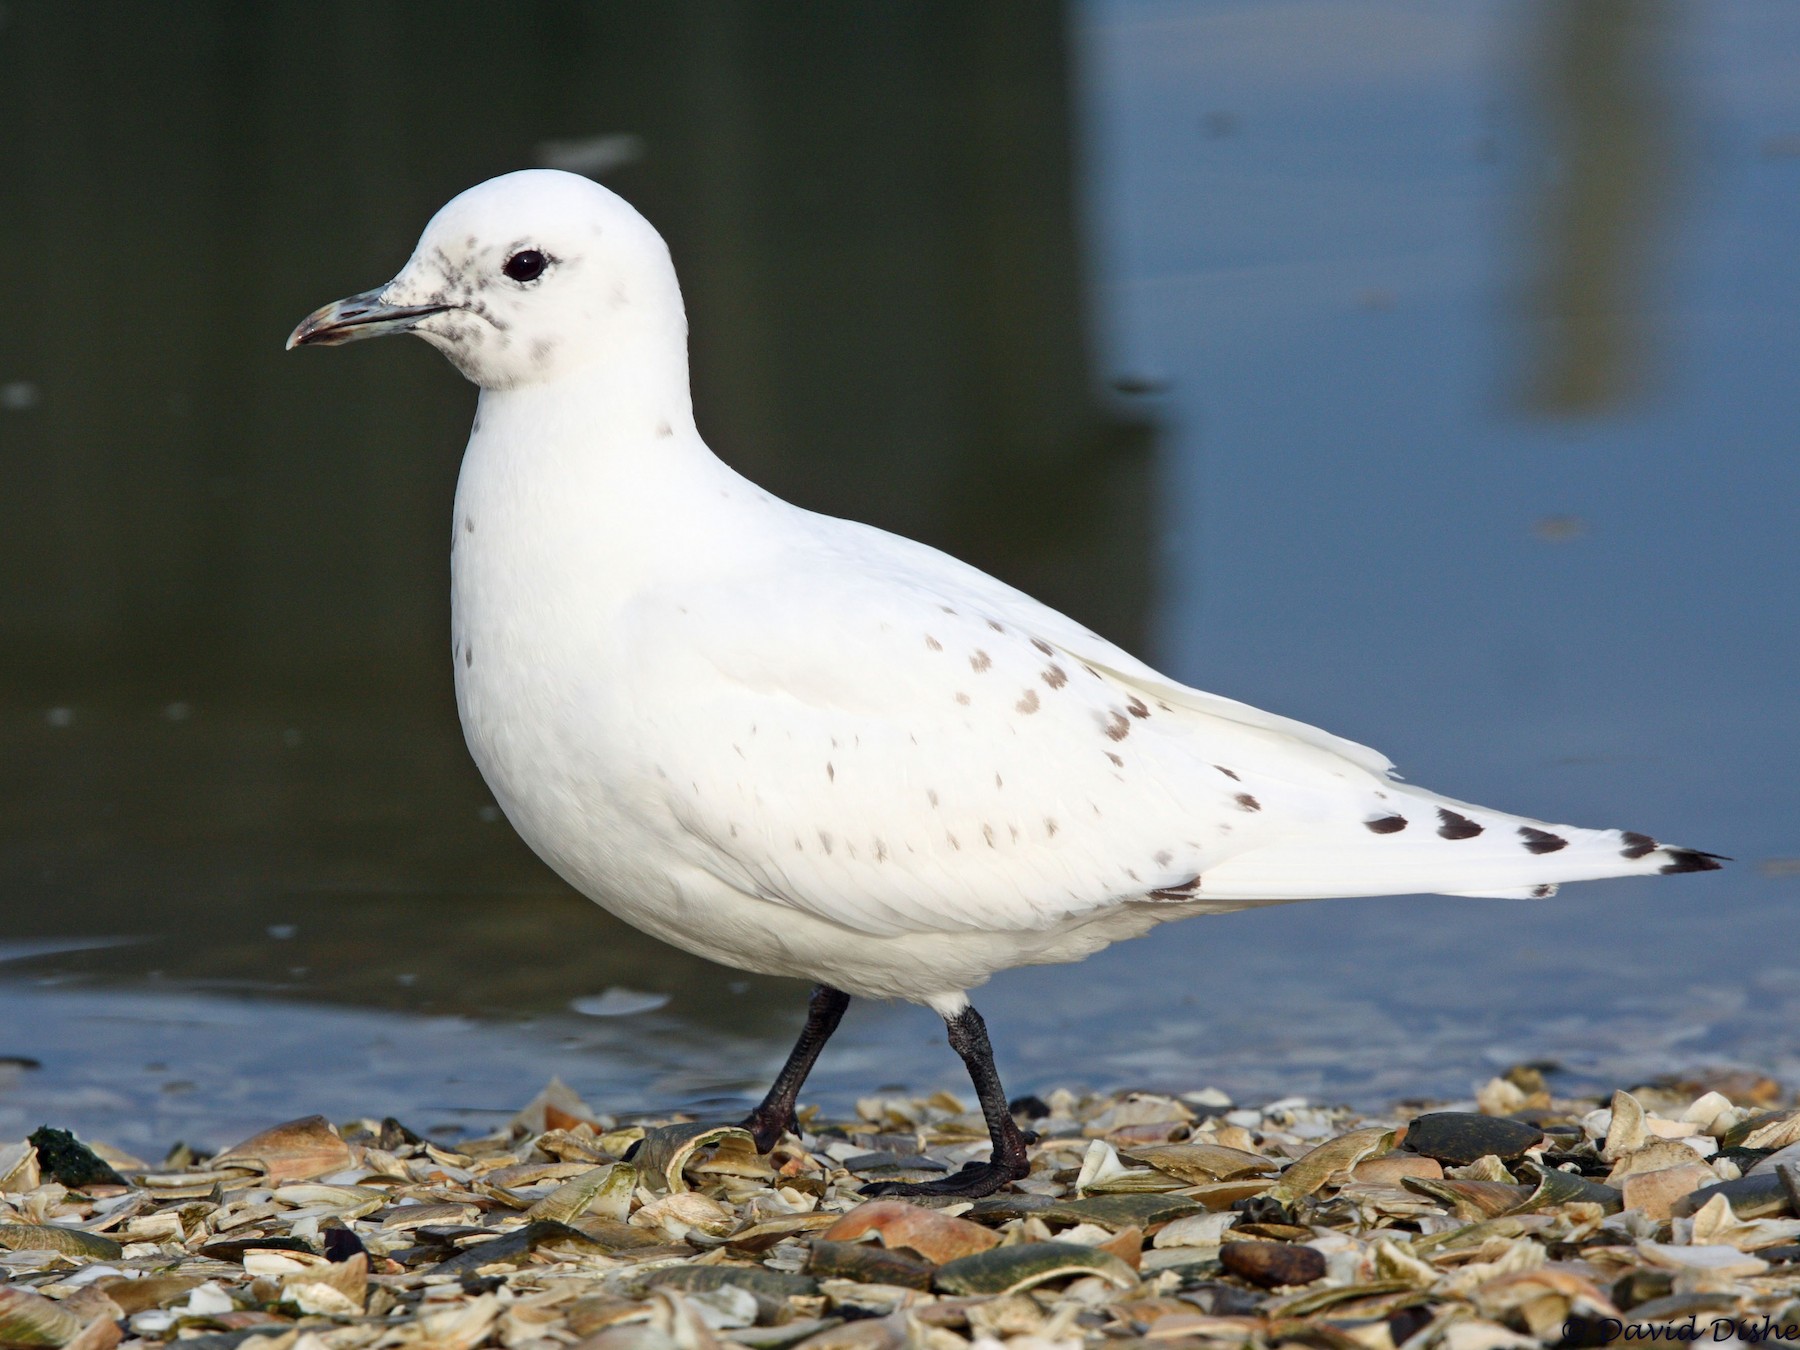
1421, 372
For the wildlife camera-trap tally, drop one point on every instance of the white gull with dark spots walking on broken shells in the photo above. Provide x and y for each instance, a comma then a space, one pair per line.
807, 748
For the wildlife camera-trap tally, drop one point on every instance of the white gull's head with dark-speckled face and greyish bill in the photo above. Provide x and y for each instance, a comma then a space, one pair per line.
519, 282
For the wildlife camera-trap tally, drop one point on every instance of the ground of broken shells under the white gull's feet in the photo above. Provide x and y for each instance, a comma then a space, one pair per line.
1171, 1221
